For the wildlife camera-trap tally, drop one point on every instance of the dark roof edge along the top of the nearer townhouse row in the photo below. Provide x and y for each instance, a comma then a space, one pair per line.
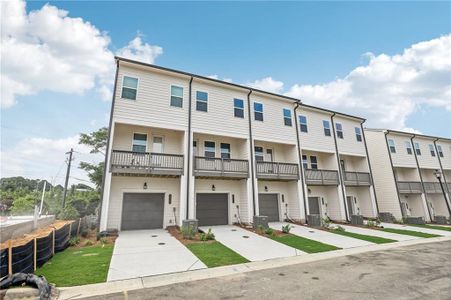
247, 88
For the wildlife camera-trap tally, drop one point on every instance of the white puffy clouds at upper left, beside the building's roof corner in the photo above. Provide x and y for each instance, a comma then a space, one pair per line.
46, 49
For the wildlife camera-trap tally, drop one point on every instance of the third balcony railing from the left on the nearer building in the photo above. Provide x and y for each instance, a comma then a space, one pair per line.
277, 171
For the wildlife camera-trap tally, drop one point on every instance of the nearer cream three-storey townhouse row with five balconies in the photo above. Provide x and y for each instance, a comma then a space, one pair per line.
183, 146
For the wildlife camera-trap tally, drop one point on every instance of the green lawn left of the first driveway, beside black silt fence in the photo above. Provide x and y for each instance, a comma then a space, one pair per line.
78, 266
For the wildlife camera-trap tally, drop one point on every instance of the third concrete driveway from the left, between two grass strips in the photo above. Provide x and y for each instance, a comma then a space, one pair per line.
322, 236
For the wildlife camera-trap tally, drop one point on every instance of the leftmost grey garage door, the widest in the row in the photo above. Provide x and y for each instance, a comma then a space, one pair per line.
142, 211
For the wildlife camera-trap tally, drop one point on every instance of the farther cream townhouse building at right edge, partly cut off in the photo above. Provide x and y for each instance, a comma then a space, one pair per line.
413, 173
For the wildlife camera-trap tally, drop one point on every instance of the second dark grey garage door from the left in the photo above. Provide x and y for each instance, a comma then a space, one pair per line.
212, 209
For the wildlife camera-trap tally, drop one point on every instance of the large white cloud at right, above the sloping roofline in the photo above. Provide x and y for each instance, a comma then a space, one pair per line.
389, 88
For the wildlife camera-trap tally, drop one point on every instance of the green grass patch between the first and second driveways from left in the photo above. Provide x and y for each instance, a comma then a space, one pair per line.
215, 254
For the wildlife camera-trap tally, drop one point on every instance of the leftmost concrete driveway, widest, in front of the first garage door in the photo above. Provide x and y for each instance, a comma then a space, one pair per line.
141, 253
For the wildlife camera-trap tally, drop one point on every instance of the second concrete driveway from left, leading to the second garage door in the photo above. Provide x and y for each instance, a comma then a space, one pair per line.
250, 245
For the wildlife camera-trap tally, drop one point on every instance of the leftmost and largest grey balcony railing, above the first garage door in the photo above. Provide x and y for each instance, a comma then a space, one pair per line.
145, 163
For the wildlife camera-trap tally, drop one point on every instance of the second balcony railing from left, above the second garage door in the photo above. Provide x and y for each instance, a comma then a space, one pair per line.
220, 167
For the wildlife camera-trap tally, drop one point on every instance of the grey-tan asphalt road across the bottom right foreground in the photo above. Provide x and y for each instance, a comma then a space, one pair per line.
414, 272
